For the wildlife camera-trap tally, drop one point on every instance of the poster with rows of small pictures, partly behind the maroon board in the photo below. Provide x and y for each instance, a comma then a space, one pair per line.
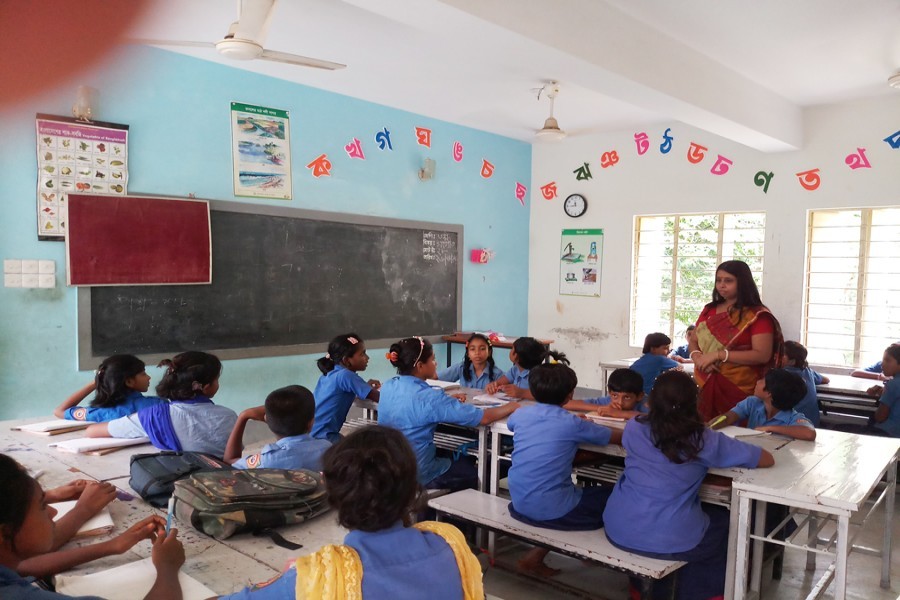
76, 157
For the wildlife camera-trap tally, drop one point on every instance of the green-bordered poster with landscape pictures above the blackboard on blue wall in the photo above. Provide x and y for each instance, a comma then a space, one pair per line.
261, 151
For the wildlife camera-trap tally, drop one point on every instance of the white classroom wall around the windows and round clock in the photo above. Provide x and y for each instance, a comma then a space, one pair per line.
595, 329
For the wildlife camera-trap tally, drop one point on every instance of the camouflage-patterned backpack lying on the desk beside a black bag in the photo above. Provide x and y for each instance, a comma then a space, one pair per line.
223, 503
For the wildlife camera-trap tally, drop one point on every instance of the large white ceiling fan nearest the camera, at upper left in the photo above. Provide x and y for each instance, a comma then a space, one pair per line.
246, 36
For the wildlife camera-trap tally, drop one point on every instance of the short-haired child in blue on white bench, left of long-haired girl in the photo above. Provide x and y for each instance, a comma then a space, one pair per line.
546, 438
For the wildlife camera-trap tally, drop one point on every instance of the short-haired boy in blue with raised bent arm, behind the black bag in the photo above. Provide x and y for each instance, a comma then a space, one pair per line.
288, 412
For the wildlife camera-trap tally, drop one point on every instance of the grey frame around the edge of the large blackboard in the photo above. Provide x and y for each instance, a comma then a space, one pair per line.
89, 359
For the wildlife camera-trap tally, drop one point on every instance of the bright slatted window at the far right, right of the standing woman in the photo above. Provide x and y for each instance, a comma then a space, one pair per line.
852, 312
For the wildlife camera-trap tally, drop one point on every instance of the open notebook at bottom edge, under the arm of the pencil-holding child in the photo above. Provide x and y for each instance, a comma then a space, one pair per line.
127, 582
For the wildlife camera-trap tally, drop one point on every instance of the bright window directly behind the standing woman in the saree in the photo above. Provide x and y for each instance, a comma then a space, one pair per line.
675, 260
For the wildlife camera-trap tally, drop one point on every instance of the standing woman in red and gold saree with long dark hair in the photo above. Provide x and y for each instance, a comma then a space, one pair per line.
736, 340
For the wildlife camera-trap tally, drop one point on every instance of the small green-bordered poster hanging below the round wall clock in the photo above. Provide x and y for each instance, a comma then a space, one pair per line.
580, 257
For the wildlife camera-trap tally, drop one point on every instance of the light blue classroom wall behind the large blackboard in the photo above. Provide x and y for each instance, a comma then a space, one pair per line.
180, 143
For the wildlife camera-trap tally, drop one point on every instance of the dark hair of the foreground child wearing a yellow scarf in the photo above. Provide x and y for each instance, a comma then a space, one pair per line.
370, 476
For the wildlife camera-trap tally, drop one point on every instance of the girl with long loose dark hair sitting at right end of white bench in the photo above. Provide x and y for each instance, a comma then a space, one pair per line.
654, 509
